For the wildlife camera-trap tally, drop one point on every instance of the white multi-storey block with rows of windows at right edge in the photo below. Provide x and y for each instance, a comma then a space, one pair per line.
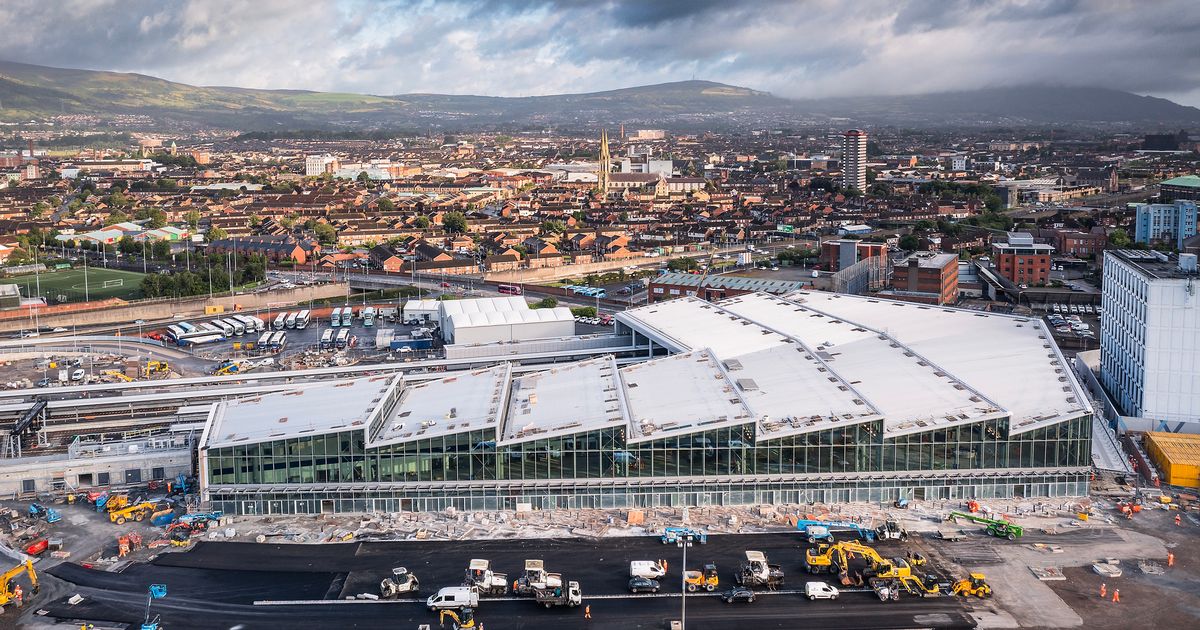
1150, 338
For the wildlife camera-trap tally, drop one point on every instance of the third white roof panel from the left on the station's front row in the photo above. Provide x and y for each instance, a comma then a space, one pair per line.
572, 399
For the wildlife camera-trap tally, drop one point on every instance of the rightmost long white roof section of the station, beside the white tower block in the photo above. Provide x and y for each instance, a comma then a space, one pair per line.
1012, 361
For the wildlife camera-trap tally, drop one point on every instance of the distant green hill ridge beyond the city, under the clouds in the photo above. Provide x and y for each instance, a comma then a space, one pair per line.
37, 92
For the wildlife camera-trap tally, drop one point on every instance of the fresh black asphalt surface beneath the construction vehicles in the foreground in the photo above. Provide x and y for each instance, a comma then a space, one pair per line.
227, 585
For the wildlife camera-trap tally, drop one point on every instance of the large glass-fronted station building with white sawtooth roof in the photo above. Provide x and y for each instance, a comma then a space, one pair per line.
757, 399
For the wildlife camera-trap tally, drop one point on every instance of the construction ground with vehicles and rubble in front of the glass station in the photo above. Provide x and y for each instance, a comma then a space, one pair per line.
909, 565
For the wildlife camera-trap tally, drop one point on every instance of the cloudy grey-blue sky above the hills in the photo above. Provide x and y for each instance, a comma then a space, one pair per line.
519, 49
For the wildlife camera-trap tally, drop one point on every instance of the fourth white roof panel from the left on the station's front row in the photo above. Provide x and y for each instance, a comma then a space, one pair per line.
680, 395
